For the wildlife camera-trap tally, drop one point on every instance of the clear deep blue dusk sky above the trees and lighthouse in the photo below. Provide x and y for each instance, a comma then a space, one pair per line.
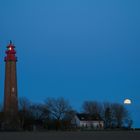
76, 49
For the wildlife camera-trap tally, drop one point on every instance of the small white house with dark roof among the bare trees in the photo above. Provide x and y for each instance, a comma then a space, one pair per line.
82, 120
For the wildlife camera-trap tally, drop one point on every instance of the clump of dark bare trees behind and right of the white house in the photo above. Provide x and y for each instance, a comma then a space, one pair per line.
114, 114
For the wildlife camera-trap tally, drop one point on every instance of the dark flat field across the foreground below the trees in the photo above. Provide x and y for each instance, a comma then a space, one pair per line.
103, 135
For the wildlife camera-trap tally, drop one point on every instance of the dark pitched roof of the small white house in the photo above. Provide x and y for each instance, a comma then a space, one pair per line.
88, 117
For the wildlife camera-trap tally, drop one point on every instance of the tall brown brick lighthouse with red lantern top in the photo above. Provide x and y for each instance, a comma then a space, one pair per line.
10, 89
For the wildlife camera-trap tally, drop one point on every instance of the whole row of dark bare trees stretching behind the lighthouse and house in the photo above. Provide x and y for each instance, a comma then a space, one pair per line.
57, 114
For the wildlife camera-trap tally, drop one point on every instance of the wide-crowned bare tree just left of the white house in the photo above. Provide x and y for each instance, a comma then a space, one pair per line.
60, 112
